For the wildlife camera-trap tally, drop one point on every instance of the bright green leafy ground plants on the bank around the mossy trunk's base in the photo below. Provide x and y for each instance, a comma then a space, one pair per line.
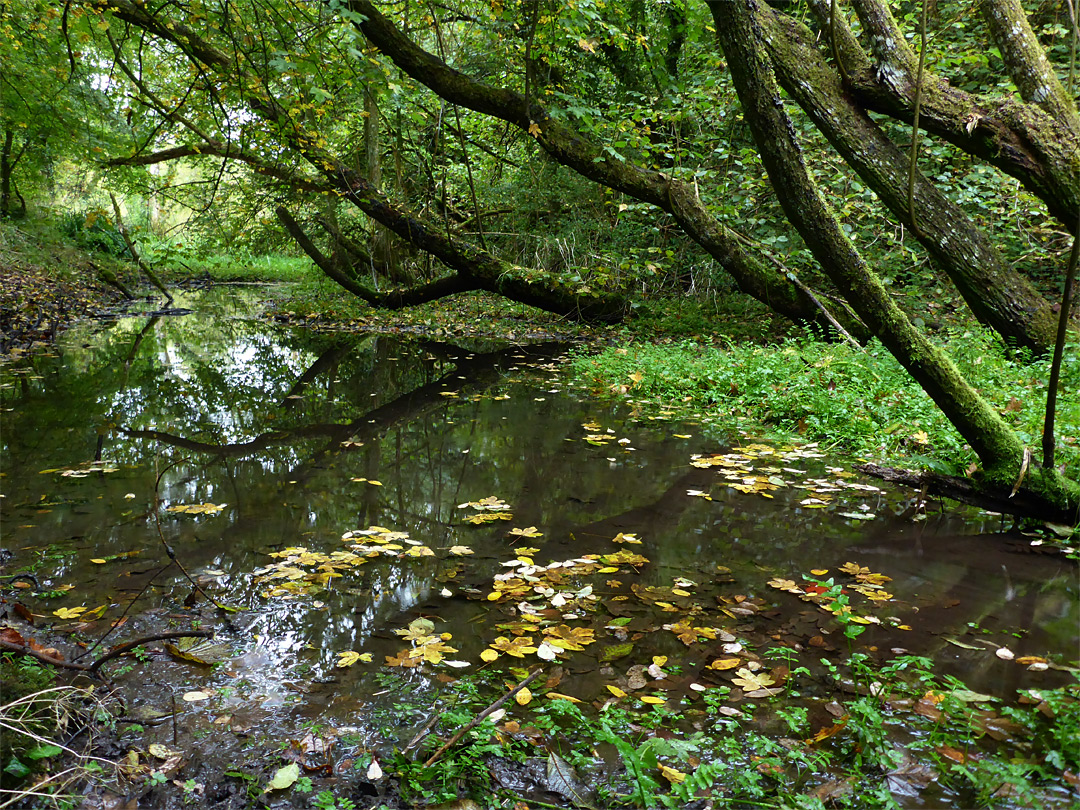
859, 400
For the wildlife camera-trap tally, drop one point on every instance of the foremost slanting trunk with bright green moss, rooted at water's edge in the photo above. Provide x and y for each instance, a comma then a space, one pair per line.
997, 447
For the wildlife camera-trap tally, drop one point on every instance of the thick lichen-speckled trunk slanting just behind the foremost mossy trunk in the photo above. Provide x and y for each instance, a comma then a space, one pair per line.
998, 296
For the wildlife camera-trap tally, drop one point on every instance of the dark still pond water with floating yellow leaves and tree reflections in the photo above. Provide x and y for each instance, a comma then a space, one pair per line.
331, 489
